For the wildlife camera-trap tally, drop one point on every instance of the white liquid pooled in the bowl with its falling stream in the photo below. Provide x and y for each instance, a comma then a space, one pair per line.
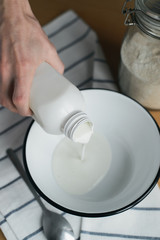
79, 168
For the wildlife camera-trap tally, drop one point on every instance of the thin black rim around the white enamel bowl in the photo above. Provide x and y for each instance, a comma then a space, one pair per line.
83, 214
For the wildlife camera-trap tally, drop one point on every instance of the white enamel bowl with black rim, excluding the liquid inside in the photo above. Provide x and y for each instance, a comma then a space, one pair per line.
135, 166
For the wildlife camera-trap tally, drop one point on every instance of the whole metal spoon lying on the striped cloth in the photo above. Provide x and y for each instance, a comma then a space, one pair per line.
55, 226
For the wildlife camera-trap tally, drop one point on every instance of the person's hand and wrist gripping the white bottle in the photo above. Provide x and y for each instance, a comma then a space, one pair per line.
23, 46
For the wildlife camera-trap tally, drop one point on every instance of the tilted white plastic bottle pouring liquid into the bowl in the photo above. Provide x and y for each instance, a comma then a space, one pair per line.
58, 106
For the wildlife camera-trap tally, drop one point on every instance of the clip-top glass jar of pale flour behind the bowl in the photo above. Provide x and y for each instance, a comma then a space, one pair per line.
139, 73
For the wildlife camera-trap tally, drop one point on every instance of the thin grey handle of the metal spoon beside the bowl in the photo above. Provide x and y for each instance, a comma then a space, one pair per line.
13, 157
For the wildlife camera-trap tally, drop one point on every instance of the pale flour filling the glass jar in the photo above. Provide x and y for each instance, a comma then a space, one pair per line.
139, 75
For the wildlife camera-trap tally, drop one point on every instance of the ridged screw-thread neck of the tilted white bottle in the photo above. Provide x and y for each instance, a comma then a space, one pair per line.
78, 127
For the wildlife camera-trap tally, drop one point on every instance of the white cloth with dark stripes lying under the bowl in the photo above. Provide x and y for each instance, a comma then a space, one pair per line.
20, 214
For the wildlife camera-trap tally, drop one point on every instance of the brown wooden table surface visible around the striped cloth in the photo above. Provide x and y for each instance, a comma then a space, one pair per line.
103, 16
